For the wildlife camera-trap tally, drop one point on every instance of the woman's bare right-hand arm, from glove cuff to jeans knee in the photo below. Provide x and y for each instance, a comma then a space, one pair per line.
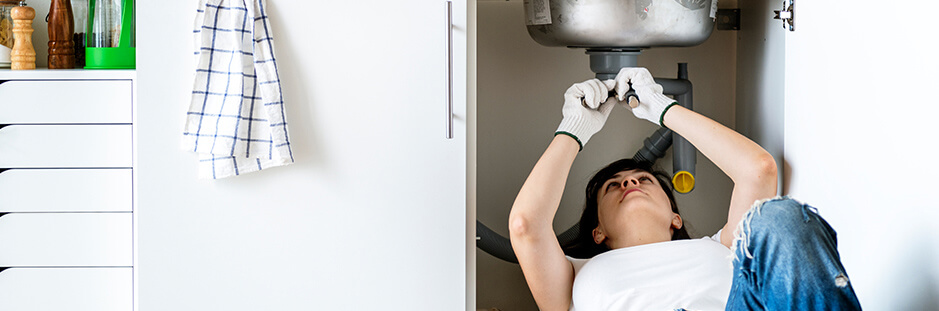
752, 169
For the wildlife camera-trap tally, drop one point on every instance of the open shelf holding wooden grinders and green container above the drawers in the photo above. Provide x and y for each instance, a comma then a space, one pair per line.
82, 34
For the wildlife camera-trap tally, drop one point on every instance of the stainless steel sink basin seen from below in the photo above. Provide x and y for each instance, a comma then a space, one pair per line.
619, 23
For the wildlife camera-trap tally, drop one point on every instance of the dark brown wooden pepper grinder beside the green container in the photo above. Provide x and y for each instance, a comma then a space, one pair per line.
61, 46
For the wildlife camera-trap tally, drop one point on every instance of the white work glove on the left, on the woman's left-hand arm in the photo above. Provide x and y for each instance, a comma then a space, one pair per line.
582, 122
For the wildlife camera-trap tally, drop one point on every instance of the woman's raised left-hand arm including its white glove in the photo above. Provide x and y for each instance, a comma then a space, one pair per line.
548, 273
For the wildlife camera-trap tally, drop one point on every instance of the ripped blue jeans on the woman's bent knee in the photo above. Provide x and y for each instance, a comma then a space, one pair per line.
786, 258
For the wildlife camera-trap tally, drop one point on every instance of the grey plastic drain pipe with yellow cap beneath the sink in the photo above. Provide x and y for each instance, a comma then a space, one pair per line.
606, 63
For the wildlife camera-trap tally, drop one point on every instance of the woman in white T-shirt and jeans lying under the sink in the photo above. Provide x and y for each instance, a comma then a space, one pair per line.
633, 252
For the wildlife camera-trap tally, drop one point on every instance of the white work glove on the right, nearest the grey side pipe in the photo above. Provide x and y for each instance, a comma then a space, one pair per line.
652, 103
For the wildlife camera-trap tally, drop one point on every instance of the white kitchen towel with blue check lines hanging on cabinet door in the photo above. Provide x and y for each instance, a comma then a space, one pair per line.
236, 121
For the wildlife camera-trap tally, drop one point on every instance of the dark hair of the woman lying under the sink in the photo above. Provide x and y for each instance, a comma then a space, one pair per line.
583, 246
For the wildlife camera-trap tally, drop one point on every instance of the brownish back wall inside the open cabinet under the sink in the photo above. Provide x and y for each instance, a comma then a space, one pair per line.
520, 88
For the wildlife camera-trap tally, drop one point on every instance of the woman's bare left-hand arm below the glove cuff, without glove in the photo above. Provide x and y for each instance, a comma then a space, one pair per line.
549, 274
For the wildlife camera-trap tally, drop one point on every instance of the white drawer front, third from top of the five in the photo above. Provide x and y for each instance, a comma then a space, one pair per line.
66, 190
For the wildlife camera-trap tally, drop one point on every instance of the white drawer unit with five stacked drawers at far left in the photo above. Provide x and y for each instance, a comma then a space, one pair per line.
67, 176
